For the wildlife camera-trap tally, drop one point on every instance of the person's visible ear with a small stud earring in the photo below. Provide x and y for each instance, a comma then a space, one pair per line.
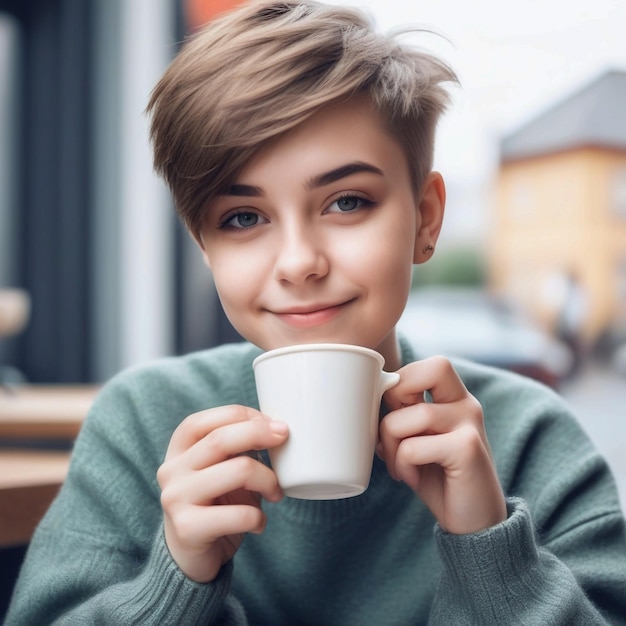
430, 206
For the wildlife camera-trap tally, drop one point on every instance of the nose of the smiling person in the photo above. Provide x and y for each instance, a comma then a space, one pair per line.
301, 255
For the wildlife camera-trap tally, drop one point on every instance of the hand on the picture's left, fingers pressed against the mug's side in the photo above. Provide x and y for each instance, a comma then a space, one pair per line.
211, 489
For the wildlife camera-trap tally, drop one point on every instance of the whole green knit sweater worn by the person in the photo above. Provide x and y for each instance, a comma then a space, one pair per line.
99, 555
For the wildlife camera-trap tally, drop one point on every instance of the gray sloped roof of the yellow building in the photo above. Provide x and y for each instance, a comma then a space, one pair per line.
593, 116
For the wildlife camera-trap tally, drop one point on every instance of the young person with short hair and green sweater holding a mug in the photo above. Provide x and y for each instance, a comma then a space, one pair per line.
298, 146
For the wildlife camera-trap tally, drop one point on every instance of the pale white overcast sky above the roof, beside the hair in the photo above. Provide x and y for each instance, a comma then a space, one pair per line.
513, 59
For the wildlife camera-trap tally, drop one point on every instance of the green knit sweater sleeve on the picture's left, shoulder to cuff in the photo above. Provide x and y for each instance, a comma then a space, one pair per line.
99, 555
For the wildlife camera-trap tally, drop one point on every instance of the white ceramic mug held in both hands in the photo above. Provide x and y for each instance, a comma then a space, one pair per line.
329, 395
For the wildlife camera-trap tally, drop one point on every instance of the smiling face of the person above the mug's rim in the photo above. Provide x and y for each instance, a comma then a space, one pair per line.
316, 239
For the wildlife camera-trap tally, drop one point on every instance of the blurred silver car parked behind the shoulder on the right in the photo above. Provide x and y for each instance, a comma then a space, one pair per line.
475, 325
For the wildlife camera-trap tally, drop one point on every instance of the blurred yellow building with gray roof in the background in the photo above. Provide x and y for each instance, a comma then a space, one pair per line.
560, 208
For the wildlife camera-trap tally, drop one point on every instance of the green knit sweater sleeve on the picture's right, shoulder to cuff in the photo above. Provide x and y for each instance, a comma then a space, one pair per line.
559, 557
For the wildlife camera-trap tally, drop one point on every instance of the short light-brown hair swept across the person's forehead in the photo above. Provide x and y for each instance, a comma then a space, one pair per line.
256, 72
